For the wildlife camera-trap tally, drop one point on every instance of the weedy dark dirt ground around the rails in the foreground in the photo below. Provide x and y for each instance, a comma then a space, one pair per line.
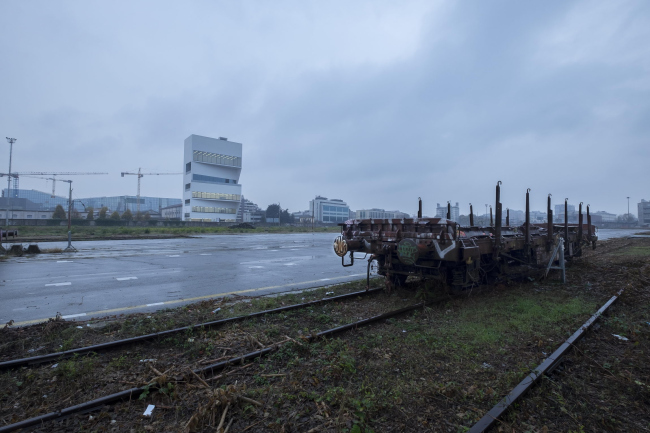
438, 369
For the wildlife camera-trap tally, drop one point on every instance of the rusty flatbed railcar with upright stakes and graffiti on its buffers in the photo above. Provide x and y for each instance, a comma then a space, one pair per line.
462, 257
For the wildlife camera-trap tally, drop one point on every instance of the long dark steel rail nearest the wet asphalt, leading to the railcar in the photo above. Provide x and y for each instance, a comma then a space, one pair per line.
112, 344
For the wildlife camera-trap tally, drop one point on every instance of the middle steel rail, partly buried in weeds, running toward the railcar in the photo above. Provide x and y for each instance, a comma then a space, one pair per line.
135, 392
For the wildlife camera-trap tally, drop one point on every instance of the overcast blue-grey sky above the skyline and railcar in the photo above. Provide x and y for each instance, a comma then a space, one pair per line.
377, 103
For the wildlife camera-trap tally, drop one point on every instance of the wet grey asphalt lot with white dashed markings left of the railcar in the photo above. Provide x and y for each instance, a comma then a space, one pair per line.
116, 277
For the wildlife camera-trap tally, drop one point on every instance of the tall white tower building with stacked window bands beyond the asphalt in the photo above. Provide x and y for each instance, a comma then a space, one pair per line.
211, 189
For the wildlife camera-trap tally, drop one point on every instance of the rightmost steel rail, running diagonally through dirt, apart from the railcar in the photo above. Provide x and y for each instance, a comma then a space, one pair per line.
547, 366
